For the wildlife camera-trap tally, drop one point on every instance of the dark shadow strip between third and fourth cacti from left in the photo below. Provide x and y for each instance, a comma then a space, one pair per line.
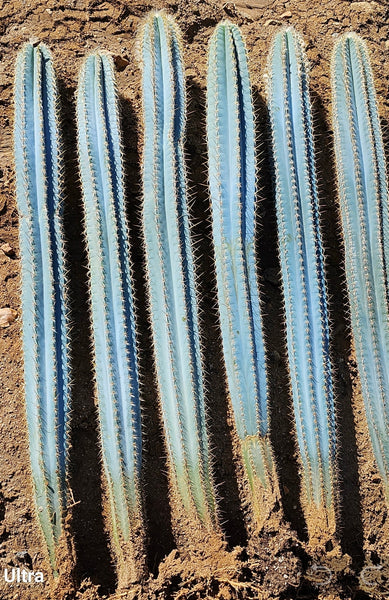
225, 477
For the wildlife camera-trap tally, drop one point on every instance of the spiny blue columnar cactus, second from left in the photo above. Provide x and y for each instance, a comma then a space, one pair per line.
113, 325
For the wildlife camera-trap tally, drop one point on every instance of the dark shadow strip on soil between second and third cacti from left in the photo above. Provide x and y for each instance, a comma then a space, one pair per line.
160, 540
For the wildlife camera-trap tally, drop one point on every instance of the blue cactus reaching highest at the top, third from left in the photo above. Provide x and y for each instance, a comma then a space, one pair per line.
169, 262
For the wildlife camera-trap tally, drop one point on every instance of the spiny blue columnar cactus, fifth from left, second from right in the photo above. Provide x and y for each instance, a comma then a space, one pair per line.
302, 265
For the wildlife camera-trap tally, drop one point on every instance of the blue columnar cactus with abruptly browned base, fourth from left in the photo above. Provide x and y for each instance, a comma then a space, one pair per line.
232, 173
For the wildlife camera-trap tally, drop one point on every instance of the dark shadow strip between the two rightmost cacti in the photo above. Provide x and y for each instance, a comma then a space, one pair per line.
350, 525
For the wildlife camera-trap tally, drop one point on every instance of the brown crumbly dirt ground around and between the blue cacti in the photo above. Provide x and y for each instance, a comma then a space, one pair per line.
279, 564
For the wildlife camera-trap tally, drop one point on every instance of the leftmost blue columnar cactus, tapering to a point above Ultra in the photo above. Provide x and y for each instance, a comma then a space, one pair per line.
39, 193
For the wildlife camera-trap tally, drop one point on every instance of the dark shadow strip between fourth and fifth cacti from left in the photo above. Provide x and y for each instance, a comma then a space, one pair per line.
281, 409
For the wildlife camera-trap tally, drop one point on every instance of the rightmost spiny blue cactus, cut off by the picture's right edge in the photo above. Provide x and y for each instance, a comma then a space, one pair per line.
363, 194
